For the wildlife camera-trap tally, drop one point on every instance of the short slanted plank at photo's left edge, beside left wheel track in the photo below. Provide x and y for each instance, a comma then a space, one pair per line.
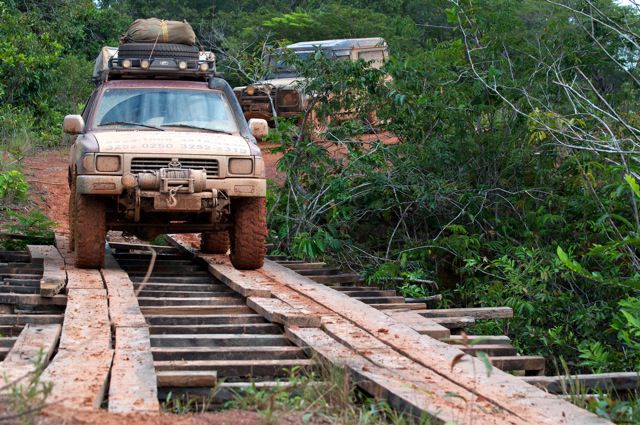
36, 342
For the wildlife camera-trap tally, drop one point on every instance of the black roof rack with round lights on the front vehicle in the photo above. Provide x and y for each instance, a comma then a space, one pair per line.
110, 66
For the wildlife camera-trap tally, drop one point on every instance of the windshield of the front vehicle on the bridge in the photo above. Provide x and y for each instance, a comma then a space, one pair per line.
162, 109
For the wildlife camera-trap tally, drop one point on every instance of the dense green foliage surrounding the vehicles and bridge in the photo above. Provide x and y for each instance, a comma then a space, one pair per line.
515, 177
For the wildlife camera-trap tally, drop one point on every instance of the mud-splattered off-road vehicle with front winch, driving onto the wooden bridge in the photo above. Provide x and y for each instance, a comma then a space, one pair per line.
163, 147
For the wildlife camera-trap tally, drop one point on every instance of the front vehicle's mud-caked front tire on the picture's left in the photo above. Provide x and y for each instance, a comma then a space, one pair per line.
90, 231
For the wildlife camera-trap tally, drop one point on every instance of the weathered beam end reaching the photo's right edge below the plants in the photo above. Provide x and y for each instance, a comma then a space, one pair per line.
618, 381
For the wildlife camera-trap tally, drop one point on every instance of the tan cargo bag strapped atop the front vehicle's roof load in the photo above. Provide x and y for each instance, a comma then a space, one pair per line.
155, 30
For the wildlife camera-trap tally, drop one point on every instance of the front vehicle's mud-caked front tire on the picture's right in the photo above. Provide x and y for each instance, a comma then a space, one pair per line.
249, 234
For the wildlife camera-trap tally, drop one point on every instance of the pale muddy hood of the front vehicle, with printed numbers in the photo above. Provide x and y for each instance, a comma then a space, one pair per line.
171, 142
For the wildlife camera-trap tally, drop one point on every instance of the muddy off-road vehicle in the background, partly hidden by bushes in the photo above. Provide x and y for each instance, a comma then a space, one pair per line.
282, 93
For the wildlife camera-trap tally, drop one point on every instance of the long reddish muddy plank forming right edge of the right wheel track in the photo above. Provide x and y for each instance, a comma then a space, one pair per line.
501, 388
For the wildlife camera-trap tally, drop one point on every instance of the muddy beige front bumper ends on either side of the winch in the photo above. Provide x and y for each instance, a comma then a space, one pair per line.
233, 187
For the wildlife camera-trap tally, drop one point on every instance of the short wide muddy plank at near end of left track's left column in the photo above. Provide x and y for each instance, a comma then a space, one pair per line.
79, 378
